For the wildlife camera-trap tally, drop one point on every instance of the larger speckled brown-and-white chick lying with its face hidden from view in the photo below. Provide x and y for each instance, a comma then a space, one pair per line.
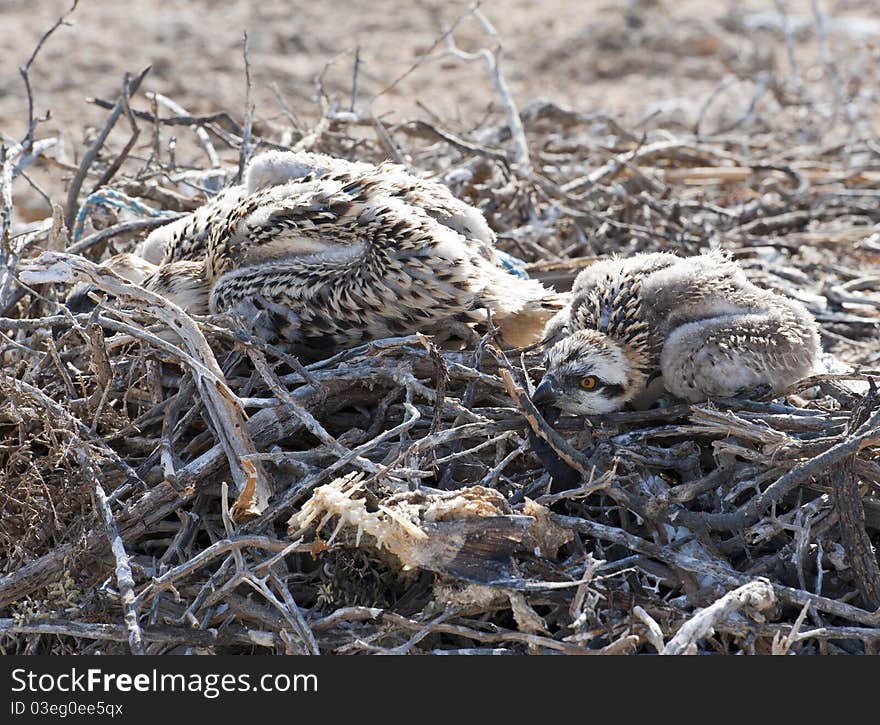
321, 253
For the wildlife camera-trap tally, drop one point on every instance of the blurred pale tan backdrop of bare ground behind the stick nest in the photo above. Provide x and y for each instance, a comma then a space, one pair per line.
803, 71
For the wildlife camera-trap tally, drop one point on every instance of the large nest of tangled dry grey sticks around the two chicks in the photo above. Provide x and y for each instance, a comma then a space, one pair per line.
203, 490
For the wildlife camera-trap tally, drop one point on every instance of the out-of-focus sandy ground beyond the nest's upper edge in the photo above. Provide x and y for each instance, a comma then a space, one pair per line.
626, 58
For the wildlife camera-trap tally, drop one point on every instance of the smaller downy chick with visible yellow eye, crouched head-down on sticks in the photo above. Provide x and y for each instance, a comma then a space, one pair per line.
697, 321
